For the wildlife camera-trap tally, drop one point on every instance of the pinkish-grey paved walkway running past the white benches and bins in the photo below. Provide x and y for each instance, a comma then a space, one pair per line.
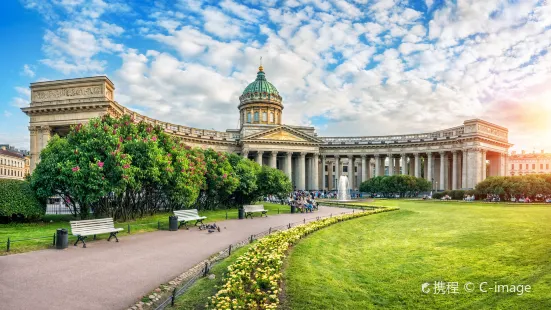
110, 275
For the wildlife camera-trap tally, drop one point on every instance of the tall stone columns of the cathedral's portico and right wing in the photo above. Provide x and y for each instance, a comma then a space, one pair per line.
446, 170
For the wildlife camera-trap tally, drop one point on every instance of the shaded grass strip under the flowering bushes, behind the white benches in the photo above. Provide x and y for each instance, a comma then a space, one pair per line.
41, 233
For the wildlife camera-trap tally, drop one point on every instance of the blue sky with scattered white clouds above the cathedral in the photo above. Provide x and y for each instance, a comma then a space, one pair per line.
349, 68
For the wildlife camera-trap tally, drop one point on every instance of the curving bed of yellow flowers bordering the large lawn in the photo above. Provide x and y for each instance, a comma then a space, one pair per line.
253, 280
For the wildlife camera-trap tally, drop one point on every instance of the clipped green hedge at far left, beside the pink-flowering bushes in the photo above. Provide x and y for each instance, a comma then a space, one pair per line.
18, 200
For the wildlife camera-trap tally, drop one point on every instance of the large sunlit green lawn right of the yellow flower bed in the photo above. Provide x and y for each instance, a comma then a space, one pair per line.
381, 261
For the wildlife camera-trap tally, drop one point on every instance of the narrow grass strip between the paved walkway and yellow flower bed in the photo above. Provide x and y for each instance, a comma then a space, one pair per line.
197, 295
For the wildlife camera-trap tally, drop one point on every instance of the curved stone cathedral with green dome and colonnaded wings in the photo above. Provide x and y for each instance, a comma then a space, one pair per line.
452, 158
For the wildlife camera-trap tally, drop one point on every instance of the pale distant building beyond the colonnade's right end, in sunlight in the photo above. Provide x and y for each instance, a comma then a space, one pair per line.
529, 163
